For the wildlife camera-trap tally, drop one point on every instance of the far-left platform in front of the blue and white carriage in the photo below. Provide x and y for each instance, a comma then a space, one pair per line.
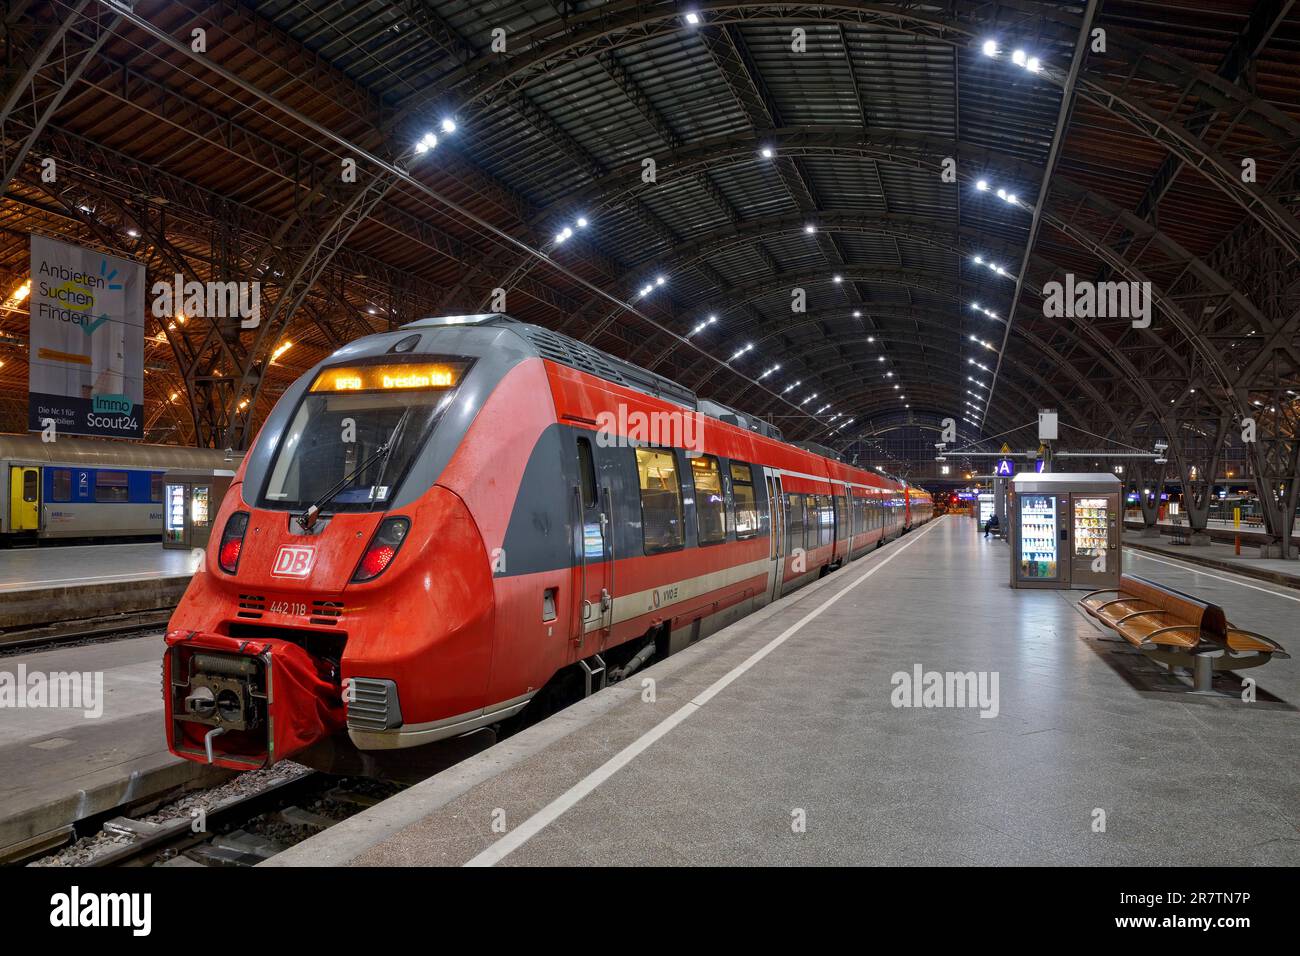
90, 585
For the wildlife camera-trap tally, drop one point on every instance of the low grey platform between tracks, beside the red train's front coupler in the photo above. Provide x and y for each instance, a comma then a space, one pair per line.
60, 765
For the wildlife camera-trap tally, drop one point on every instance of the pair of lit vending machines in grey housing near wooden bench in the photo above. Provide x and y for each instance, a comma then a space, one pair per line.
1065, 531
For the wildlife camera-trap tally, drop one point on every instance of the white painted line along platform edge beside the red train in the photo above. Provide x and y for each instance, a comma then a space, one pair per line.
521, 836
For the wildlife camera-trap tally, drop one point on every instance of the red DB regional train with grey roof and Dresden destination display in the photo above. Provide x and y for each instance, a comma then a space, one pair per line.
439, 522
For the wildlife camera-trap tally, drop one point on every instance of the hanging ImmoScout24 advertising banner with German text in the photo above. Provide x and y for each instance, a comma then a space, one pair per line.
86, 341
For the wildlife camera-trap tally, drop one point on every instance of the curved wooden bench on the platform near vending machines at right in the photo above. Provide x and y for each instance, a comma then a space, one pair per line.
1180, 630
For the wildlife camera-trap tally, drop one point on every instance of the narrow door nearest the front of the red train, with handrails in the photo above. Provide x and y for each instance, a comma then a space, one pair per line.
595, 608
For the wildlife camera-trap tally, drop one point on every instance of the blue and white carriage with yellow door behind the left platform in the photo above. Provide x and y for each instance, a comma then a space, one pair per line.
89, 487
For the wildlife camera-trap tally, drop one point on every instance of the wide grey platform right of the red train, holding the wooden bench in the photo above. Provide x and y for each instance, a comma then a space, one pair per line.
778, 741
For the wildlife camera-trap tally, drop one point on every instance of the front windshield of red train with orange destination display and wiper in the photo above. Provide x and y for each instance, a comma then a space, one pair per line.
341, 427
